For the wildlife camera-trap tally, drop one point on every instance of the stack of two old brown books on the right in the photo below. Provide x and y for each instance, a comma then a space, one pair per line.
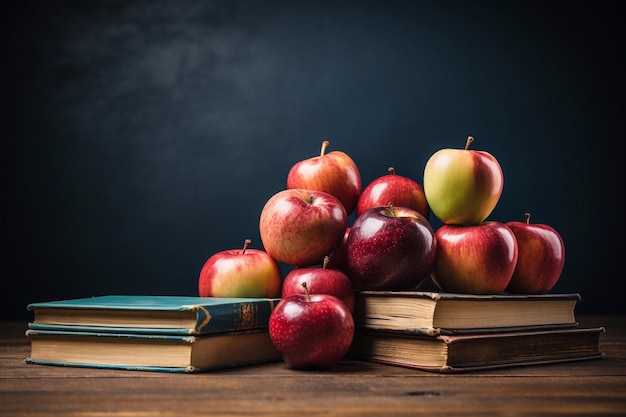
443, 332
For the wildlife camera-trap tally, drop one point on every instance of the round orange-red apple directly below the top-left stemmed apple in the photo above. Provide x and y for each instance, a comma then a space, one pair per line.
299, 227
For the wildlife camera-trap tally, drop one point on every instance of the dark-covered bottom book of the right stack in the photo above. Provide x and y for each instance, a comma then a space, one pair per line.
472, 352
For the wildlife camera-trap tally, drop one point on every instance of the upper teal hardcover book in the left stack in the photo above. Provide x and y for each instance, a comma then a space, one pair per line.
153, 314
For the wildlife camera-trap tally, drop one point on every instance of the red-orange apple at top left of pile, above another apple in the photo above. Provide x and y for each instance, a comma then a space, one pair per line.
334, 172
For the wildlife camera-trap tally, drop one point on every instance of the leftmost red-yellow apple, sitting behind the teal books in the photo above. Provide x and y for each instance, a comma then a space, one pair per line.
240, 273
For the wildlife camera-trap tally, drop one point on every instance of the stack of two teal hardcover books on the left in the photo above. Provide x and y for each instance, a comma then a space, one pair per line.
153, 333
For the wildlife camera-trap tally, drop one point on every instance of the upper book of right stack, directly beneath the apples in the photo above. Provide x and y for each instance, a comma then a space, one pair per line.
434, 313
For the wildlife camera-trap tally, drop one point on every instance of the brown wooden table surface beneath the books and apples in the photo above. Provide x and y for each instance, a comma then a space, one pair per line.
590, 388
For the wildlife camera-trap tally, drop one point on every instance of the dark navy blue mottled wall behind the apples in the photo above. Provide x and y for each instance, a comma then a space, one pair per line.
141, 137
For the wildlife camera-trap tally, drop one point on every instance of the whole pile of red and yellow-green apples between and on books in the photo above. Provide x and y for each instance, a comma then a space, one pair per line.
390, 246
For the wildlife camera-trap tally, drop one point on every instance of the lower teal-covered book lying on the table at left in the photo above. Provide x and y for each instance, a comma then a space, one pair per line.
151, 352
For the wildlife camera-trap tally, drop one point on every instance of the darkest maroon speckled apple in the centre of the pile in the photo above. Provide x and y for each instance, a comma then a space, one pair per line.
390, 248
